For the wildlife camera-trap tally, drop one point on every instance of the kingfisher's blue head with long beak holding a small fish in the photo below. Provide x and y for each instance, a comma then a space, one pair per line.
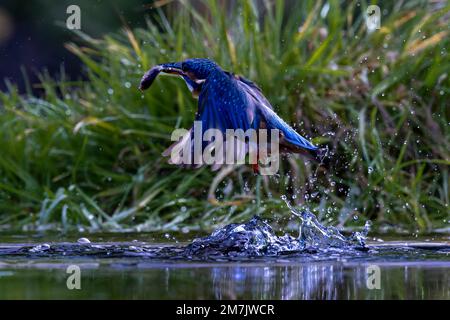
196, 70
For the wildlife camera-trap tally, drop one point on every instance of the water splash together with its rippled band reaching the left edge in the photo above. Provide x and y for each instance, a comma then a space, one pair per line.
255, 238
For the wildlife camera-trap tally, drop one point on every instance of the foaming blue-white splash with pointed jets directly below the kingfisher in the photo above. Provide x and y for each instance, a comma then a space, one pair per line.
257, 238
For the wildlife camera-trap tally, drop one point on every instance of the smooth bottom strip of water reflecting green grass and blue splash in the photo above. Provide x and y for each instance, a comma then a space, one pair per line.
314, 281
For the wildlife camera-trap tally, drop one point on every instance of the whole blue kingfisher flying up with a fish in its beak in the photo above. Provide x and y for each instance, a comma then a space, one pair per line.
230, 101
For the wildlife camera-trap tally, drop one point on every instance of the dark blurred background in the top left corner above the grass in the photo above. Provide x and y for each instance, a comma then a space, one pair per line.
33, 33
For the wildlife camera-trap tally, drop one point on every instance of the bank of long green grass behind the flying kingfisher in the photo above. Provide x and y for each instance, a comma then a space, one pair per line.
88, 152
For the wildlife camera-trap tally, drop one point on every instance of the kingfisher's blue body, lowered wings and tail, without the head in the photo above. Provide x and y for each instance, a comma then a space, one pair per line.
227, 101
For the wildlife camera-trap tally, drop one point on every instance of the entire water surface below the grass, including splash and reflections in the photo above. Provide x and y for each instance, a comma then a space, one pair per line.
237, 261
